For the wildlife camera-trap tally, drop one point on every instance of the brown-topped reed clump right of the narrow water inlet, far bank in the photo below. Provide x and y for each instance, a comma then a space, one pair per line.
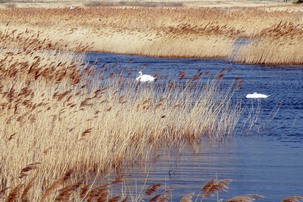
279, 44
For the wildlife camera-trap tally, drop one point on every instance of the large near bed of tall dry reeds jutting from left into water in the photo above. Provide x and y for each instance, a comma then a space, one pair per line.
63, 122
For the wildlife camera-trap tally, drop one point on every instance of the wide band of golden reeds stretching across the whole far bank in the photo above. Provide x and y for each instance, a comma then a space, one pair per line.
274, 33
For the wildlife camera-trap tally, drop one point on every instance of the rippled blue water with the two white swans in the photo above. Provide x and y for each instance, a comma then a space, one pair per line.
265, 156
